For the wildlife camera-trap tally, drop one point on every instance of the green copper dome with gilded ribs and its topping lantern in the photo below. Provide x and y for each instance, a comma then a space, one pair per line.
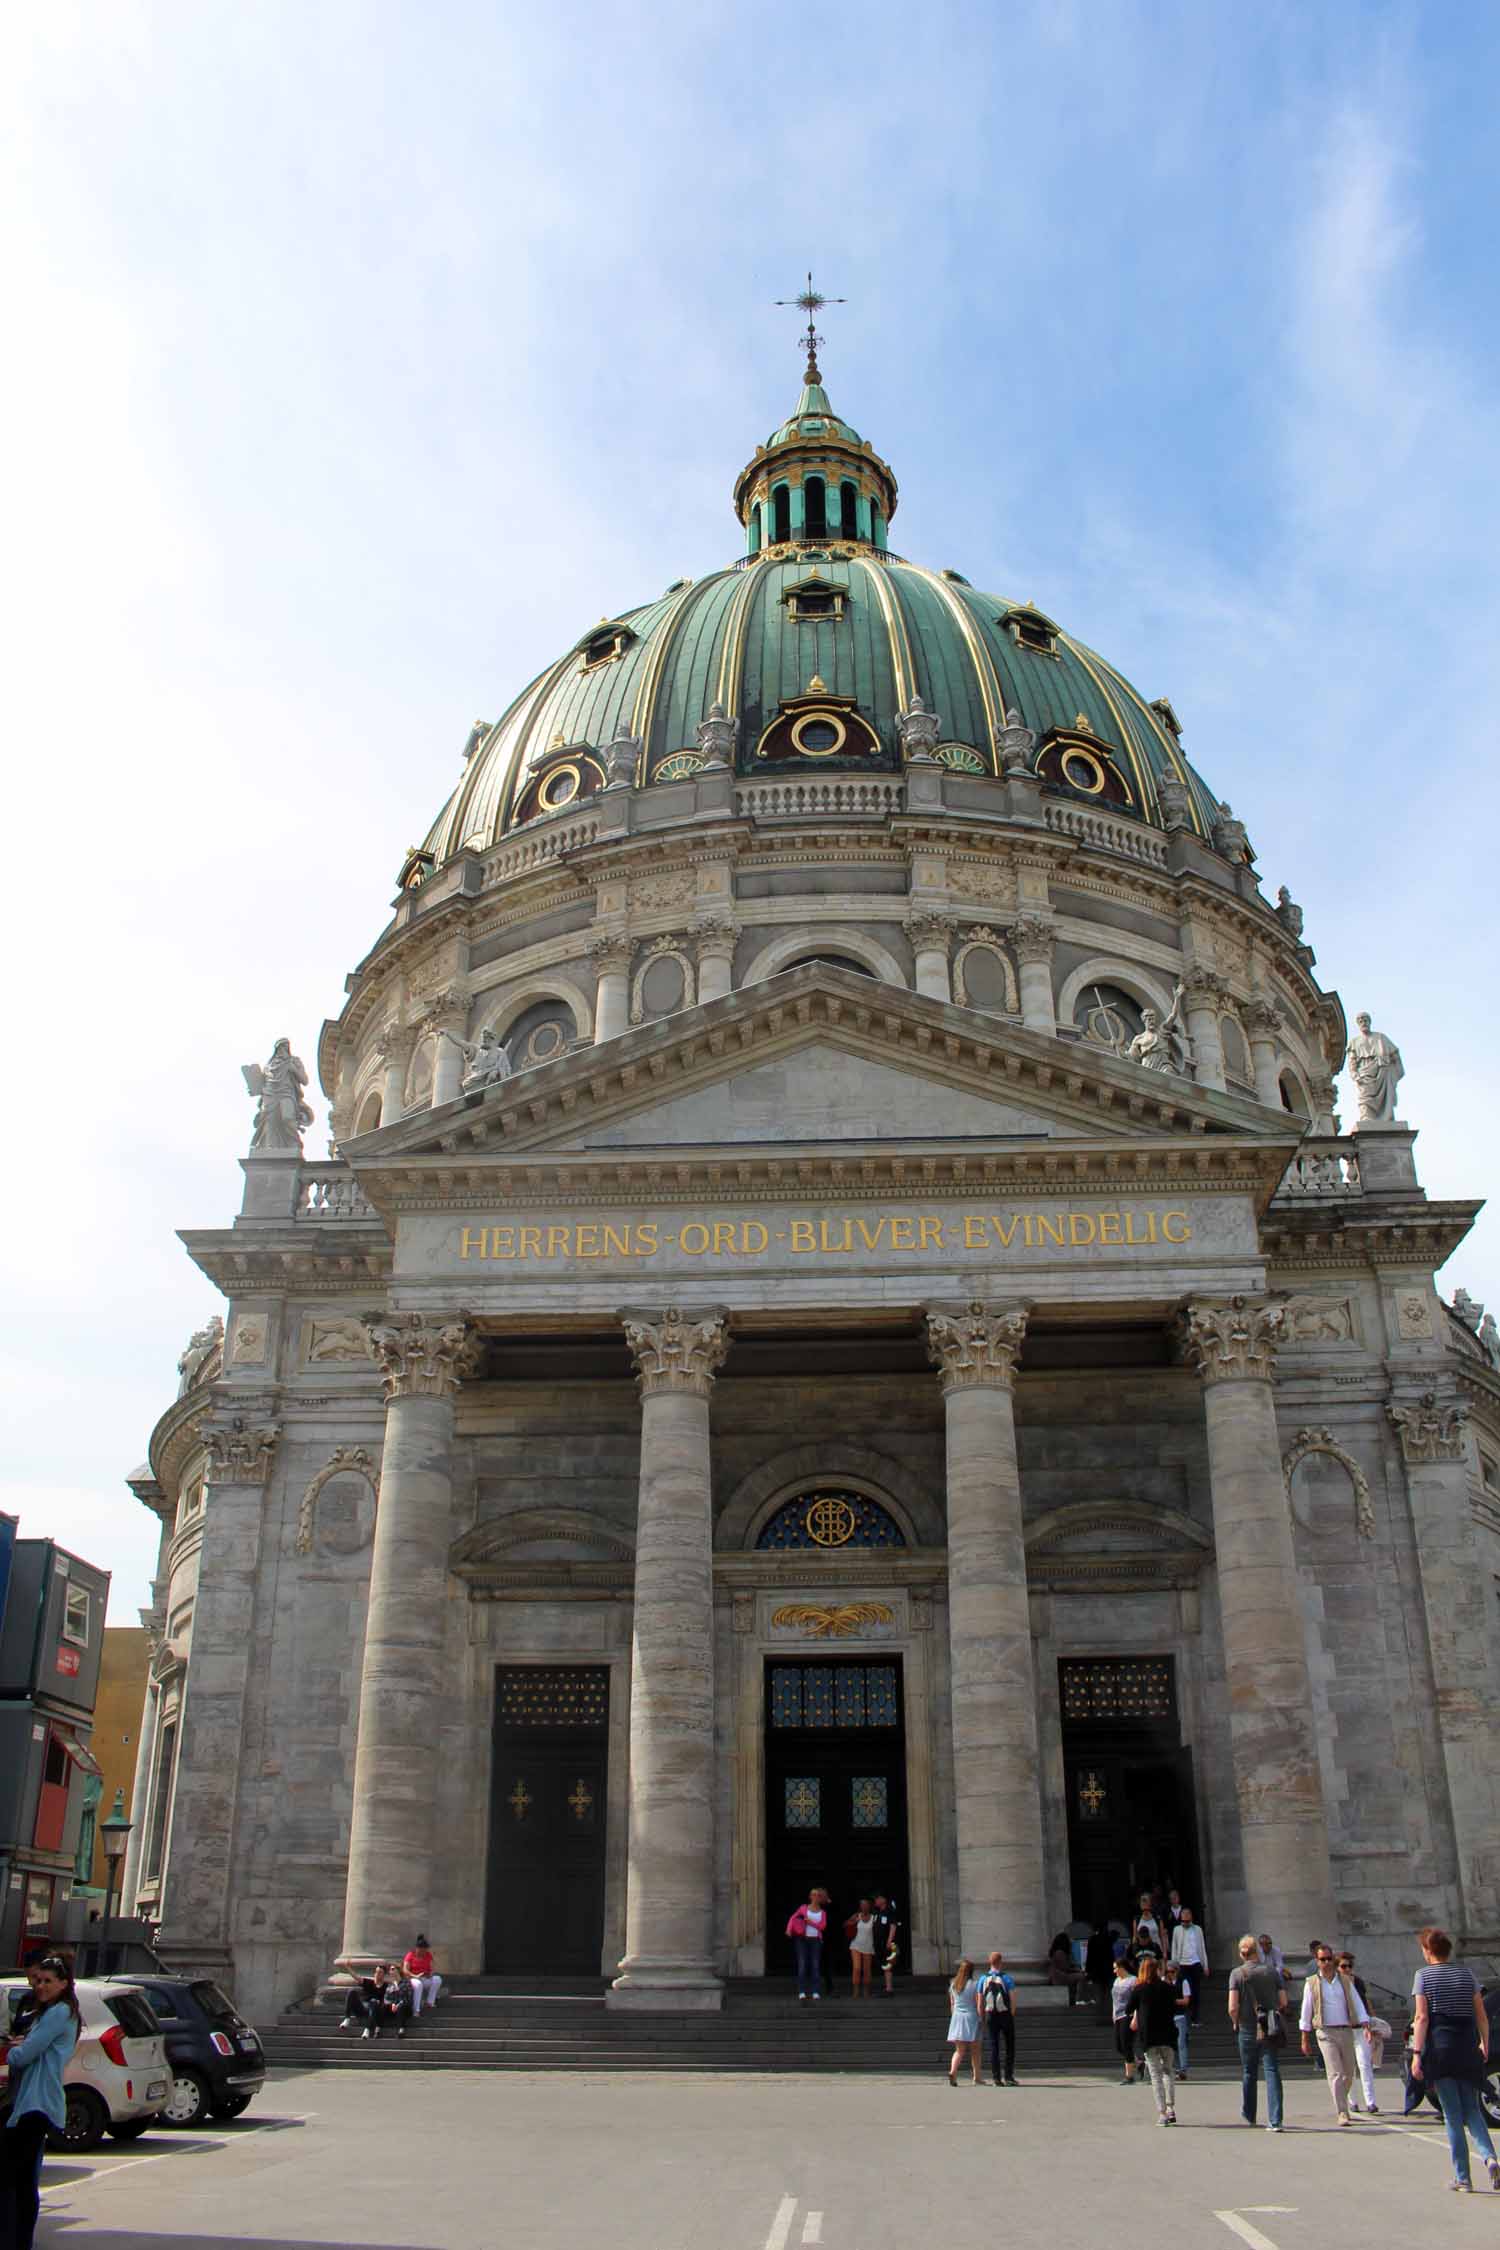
815, 647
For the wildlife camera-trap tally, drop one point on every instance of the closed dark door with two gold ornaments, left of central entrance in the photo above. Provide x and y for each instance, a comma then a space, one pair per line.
545, 1902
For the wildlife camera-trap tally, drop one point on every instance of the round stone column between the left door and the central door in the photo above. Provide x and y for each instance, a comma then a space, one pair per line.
669, 1889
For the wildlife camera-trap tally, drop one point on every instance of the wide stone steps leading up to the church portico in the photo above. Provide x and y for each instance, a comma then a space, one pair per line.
563, 2024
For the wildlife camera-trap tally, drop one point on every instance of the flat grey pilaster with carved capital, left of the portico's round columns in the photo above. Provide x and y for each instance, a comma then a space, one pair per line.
201, 1853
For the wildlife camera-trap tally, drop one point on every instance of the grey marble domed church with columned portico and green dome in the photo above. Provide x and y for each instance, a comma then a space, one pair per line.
840, 1340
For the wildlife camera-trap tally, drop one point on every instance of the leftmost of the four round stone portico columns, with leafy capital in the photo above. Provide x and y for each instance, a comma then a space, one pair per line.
404, 1691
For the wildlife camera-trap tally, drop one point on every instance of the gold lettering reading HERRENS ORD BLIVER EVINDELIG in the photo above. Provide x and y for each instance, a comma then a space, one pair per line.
896, 1234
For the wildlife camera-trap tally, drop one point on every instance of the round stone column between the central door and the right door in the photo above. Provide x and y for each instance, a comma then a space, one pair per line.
1002, 1898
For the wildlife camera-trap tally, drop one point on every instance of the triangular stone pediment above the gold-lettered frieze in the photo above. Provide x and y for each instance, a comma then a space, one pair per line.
817, 1065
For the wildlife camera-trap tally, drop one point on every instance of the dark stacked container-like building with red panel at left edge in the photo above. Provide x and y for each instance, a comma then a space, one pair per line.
51, 1650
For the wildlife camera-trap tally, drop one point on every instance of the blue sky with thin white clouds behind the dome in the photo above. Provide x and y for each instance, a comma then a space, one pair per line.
361, 357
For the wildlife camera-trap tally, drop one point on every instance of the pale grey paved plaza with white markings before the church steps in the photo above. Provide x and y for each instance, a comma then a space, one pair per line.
446, 2161
